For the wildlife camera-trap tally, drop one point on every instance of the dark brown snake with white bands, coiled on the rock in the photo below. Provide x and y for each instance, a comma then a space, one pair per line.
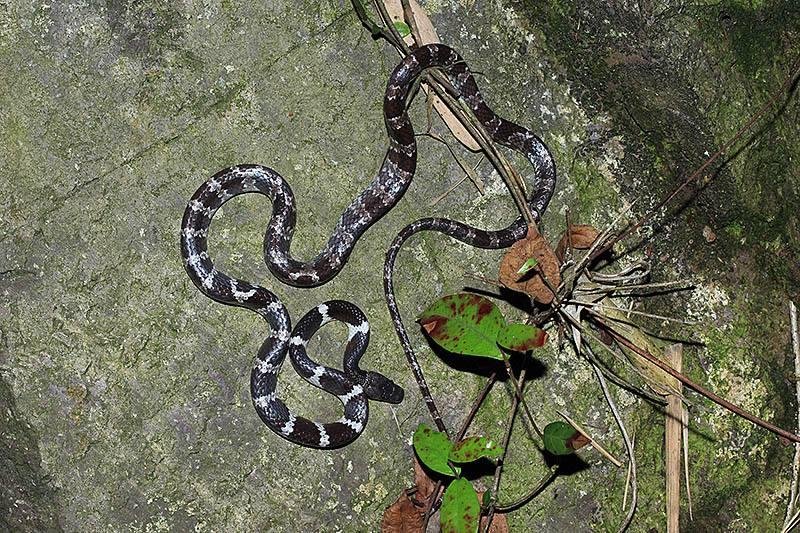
351, 385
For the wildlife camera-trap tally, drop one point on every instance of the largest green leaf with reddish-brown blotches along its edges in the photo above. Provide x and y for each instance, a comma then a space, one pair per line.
465, 324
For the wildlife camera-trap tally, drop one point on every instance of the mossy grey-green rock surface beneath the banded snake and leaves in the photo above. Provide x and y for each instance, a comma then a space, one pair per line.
124, 401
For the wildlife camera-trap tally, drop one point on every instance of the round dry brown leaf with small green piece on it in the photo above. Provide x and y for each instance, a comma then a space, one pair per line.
532, 246
